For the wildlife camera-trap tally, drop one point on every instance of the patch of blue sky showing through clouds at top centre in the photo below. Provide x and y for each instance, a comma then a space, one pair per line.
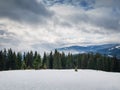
85, 4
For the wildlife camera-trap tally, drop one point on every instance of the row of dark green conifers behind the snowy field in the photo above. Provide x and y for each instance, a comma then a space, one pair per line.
10, 60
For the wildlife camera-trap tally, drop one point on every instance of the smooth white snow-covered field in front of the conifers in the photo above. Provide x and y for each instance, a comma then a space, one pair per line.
59, 80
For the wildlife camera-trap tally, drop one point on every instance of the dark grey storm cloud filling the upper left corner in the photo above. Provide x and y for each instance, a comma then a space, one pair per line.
29, 11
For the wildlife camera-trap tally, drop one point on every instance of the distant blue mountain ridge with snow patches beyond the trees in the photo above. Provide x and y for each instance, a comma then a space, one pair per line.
107, 49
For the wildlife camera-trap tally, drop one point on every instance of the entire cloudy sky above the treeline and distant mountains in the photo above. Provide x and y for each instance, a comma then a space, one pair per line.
47, 24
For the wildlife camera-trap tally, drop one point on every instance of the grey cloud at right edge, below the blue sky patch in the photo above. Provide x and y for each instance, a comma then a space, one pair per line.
109, 22
